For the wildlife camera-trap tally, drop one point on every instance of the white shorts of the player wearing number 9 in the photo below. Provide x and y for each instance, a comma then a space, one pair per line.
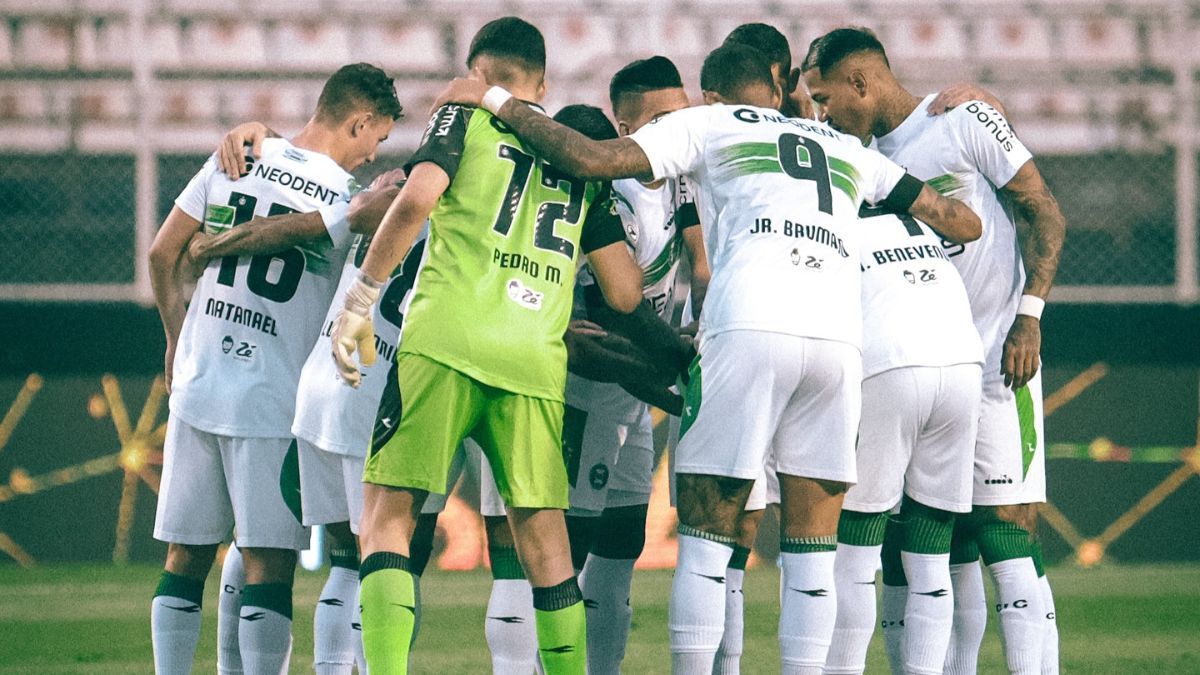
769, 395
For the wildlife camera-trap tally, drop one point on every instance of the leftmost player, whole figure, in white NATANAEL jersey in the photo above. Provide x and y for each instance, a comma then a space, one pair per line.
233, 363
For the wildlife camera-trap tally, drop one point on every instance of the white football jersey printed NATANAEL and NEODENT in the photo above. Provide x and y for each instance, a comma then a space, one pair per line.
254, 320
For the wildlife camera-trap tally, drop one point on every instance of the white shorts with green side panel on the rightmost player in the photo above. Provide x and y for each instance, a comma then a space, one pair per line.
1011, 459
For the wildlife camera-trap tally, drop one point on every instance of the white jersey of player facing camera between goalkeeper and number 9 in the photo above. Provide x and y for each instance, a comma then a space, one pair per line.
655, 220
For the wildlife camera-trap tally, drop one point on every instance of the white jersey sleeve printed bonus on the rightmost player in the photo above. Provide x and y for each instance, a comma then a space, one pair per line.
989, 142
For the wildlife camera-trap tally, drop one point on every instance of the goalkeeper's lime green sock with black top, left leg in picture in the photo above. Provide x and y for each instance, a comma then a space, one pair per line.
389, 612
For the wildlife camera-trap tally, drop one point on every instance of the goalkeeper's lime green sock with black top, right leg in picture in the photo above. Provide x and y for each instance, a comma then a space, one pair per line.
562, 629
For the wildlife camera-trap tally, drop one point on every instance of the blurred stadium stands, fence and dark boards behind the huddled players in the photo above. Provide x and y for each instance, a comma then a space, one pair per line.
107, 109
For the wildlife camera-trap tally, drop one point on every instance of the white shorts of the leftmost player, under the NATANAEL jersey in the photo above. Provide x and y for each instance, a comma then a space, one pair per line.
213, 485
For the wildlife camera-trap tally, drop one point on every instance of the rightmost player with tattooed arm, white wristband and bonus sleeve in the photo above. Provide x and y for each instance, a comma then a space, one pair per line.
973, 153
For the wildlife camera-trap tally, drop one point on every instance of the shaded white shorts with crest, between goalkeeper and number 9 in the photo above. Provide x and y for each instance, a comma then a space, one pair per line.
615, 464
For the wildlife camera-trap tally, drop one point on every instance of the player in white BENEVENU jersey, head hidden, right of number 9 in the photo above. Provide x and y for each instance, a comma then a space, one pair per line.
922, 361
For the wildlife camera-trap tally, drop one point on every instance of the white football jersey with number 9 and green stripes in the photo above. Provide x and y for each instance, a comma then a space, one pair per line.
779, 205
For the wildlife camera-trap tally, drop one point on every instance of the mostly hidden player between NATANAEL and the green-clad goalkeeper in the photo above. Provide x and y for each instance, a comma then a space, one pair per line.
333, 422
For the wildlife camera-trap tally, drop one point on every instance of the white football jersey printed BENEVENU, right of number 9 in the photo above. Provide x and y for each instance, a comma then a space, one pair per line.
915, 308
